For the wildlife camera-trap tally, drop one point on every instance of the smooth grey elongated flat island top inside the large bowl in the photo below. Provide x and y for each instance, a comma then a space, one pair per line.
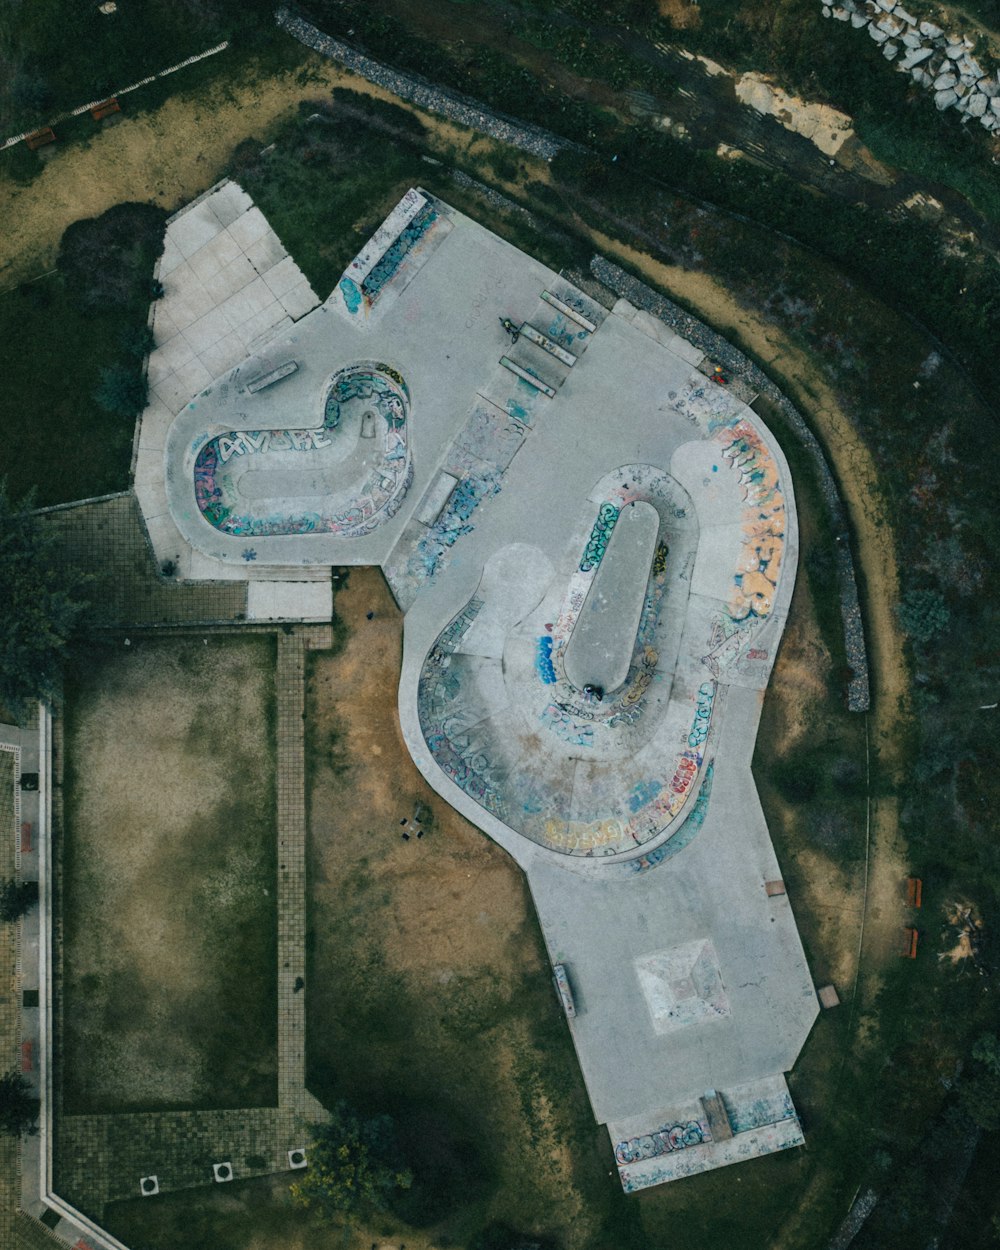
601, 648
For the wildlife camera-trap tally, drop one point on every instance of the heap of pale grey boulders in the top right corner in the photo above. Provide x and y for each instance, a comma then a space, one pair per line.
943, 64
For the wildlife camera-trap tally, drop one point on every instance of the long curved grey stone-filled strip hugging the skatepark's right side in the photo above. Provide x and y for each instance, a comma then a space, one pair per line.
748, 382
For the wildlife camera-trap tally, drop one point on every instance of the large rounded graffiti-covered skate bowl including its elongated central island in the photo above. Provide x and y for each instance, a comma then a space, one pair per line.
502, 696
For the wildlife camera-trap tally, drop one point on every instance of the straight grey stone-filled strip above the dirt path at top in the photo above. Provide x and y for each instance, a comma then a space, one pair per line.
436, 99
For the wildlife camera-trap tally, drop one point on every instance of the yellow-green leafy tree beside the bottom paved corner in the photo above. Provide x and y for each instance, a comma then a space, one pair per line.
353, 1164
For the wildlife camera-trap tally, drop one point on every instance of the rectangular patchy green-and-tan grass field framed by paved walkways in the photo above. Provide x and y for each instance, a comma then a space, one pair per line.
168, 898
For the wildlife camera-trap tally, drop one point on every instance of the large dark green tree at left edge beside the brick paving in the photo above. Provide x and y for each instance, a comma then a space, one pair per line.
39, 607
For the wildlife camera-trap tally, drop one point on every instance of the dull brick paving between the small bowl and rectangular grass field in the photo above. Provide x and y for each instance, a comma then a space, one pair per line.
107, 541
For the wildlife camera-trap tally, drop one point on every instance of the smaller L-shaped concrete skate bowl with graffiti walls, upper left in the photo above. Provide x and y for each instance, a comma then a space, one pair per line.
344, 478
